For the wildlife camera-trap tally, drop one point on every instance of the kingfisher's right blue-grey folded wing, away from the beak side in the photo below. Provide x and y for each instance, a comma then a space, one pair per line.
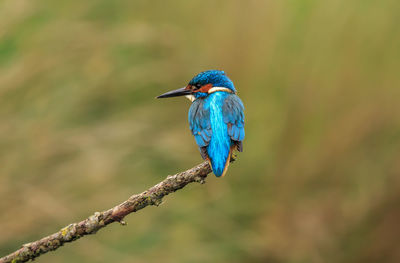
233, 111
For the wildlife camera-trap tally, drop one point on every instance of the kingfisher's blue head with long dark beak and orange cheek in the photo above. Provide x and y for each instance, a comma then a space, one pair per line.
202, 85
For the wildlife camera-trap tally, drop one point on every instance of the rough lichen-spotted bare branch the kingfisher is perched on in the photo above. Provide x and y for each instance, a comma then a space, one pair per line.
92, 224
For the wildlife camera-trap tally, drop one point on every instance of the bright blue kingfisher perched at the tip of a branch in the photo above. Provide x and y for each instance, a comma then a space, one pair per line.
216, 117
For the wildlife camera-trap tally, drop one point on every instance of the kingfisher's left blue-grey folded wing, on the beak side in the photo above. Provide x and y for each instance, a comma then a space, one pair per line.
199, 121
